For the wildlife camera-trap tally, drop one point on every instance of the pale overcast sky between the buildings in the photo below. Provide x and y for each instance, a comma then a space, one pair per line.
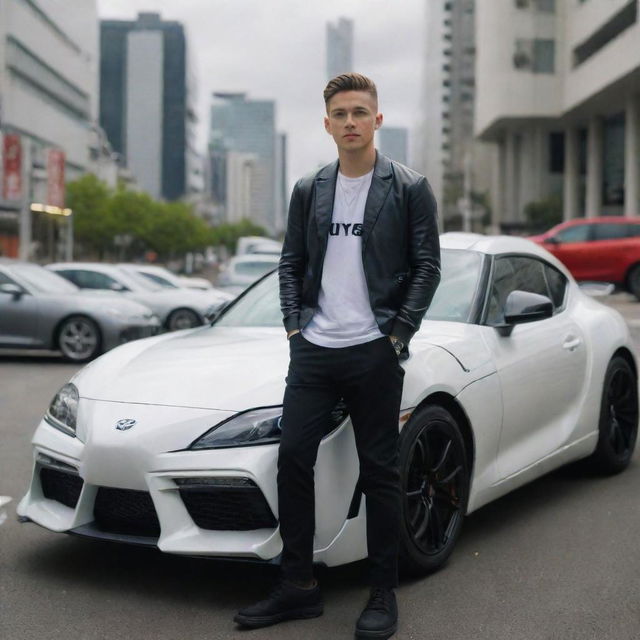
275, 49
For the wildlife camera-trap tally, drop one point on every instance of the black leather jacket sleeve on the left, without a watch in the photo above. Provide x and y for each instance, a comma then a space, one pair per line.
292, 262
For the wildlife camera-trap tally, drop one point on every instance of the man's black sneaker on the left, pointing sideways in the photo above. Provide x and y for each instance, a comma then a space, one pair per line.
285, 602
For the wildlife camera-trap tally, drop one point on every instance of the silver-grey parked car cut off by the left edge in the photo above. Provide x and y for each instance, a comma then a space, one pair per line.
41, 310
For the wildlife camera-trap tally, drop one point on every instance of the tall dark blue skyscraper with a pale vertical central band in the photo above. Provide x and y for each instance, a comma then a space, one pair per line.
146, 103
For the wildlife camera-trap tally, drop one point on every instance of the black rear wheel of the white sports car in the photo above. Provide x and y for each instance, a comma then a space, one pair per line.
618, 422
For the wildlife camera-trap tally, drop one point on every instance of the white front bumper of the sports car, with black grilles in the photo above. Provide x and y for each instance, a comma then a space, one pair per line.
131, 487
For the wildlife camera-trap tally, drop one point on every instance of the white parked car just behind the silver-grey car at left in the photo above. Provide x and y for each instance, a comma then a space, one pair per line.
176, 308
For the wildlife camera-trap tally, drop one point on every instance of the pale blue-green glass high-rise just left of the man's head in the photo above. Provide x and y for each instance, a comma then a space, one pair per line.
243, 141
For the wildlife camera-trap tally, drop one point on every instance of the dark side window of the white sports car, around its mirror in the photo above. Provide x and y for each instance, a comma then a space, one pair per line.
518, 273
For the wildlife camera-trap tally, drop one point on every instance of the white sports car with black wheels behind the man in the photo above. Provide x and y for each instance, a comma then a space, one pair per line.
172, 441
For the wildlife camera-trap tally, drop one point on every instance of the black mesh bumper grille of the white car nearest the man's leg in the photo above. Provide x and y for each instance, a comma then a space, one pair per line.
228, 508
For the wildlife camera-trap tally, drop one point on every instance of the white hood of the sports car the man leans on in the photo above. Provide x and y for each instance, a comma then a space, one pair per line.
227, 368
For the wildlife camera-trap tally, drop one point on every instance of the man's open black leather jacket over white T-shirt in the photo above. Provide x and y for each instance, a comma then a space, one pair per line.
400, 247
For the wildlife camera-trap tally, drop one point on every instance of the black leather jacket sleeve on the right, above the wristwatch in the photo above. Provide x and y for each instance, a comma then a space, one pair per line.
424, 260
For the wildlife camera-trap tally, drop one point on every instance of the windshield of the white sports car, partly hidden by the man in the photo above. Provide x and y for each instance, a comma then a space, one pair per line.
260, 307
